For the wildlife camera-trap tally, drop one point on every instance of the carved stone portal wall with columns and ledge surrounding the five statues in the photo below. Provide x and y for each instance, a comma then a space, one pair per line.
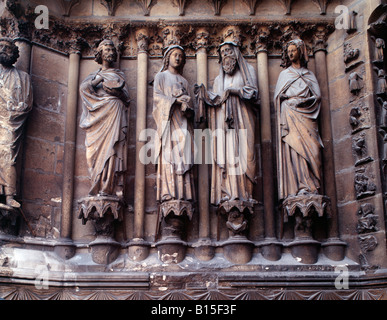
236, 251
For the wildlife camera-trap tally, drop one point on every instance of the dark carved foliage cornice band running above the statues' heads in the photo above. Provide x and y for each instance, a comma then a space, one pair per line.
76, 34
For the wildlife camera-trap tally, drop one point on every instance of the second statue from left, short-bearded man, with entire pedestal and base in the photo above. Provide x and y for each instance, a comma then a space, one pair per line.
105, 97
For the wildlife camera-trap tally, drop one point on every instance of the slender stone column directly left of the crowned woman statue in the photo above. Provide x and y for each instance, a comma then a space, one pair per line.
138, 248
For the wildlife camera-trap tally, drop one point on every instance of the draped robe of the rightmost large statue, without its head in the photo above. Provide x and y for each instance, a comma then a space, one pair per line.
298, 140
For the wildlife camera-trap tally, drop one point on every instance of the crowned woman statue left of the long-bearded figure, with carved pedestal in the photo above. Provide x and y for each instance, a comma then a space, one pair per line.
173, 114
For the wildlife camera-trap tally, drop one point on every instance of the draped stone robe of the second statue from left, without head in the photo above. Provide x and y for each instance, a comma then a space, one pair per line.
105, 121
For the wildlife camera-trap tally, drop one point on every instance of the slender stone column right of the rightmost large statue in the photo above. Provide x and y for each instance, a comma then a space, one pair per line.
334, 248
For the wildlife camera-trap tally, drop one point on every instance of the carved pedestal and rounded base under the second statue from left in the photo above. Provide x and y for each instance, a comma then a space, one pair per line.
103, 211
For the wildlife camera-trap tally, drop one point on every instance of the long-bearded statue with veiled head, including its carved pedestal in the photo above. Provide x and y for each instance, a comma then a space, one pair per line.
231, 113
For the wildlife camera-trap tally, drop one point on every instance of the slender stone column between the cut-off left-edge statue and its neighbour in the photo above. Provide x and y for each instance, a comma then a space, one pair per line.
66, 248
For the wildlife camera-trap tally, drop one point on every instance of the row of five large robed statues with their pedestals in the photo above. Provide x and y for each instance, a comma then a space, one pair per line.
231, 110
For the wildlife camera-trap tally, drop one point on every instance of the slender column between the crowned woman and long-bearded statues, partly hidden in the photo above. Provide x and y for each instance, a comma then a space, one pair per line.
203, 248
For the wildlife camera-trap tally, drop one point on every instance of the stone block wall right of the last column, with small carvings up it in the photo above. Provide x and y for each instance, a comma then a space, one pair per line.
342, 101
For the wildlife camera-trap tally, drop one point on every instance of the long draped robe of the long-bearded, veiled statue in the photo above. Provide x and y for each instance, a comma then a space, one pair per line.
232, 124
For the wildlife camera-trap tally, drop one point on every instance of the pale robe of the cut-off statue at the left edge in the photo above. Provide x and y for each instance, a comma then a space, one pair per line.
15, 104
